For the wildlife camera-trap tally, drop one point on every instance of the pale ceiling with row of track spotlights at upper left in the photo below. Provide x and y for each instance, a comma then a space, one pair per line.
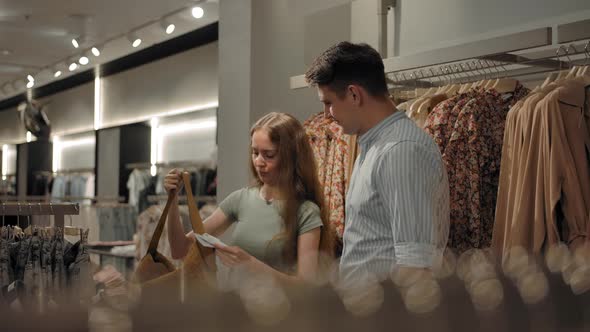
36, 35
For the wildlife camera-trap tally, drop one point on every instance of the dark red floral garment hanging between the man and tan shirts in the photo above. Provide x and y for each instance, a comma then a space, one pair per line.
470, 136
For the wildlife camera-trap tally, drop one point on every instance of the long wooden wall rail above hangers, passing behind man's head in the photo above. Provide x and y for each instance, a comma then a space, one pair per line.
533, 49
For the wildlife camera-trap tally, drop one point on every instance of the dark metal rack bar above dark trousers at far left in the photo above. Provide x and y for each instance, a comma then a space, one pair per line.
58, 211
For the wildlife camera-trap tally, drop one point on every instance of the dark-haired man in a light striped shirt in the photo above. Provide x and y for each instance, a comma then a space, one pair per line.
397, 205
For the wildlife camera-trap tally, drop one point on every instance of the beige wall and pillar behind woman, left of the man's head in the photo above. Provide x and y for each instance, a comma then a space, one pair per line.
270, 38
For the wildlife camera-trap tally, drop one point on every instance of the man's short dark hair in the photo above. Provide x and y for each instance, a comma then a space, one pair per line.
347, 63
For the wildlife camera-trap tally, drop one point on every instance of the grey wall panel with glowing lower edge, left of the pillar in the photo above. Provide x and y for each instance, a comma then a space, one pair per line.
183, 82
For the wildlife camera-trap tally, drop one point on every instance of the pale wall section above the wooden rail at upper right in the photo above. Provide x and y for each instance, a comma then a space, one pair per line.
427, 25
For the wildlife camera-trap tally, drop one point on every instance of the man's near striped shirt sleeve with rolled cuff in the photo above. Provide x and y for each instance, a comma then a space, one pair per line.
413, 187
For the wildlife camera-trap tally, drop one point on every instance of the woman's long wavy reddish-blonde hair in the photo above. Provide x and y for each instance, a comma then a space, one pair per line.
298, 179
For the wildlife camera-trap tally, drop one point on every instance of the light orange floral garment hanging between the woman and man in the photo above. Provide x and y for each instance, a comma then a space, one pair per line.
331, 150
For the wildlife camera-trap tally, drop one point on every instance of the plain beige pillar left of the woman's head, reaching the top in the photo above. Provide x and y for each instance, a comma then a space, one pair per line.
235, 37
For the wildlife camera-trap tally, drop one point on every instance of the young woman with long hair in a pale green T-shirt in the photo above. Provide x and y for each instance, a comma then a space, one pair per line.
281, 227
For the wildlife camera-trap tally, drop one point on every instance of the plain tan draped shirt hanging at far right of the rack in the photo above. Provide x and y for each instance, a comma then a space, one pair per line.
552, 202
